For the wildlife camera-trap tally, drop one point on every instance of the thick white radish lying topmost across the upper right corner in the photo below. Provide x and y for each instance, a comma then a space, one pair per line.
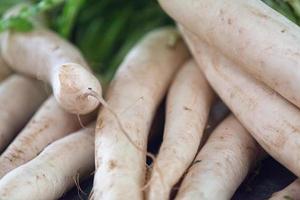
251, 34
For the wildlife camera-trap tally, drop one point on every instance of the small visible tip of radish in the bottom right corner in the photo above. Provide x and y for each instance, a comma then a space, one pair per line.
291, 192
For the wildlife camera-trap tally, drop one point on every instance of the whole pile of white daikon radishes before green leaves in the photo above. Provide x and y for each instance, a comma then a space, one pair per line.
242, 51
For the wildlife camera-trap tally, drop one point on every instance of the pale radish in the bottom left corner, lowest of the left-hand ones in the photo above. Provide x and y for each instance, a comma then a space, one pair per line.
54, 171
